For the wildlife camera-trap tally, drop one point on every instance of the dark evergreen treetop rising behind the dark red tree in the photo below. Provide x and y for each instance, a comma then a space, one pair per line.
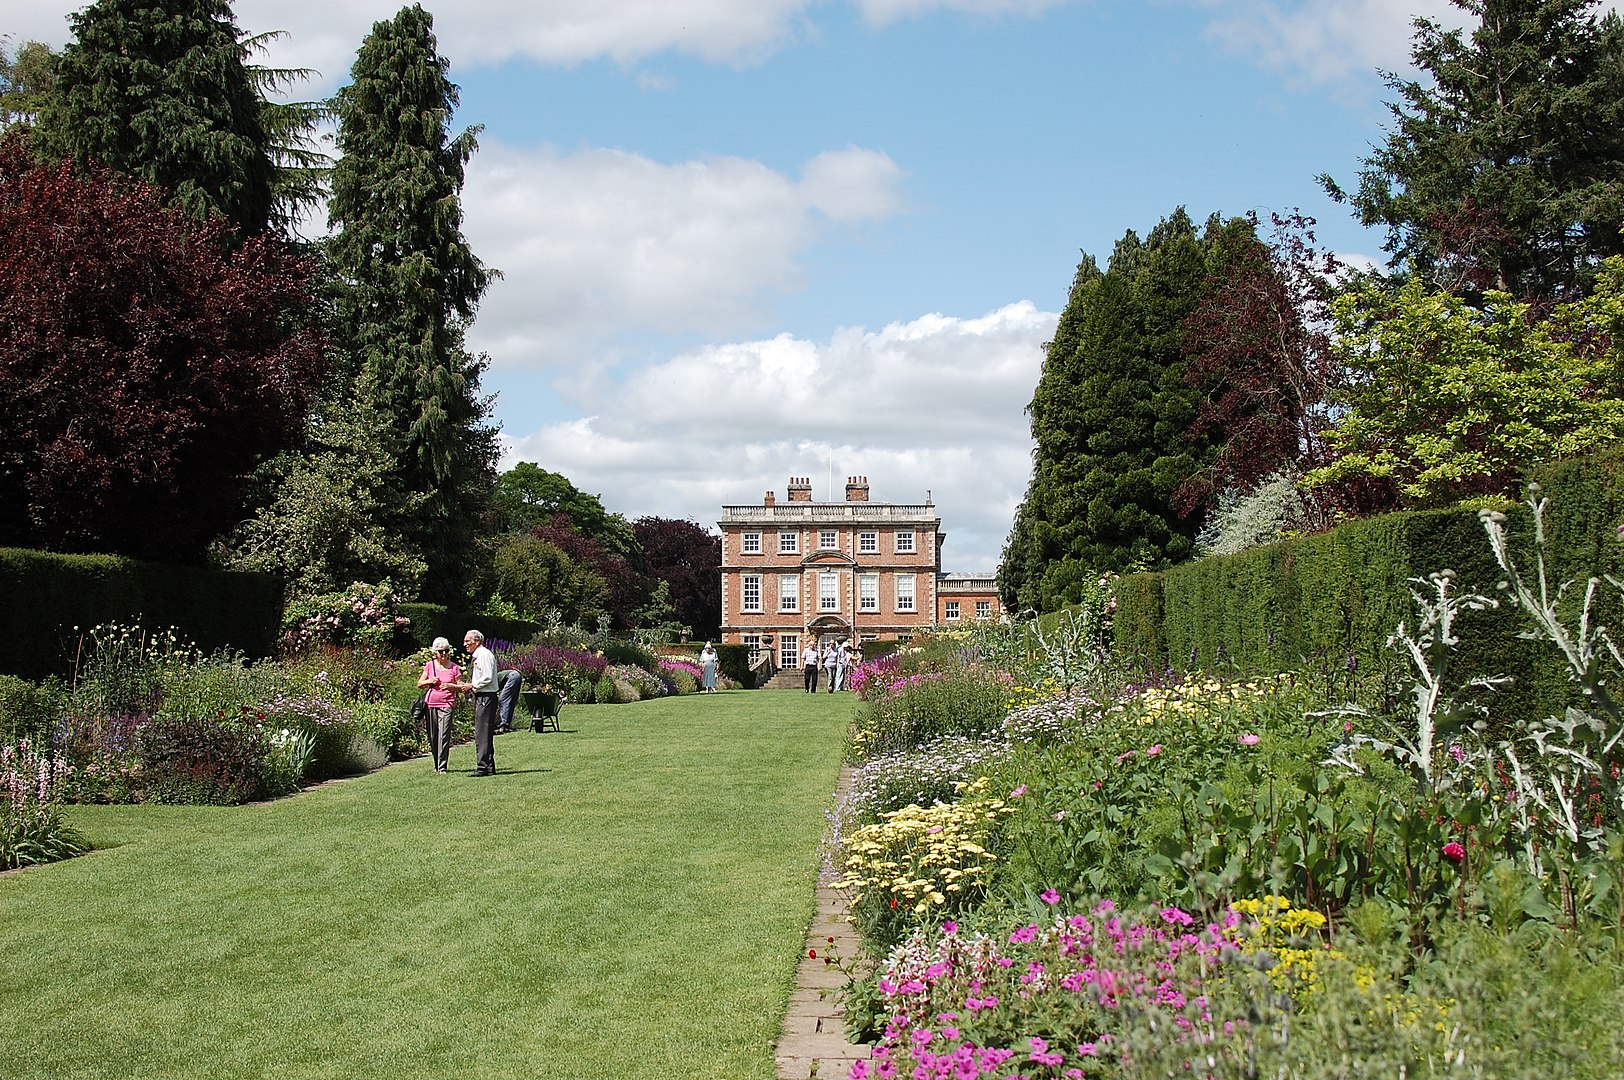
160, 92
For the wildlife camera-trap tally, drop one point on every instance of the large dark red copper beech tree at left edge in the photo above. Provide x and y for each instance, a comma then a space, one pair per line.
152, 363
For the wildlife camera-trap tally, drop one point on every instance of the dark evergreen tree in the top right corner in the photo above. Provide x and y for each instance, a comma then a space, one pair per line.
1506, 168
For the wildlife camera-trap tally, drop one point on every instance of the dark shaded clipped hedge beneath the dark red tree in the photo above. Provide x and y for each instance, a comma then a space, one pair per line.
53, 598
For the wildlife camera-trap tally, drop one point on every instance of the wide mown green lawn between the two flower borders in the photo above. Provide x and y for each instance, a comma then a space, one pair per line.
626, 899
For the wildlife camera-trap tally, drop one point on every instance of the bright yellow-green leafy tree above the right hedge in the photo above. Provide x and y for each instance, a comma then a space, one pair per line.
1453, 400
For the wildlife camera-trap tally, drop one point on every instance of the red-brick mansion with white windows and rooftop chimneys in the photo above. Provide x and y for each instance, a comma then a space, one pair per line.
803, 571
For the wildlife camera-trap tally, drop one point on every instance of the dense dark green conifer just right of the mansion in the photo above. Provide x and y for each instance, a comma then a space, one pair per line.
1113, 421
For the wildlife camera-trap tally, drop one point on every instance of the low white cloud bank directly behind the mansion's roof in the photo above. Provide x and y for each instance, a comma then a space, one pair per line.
935, 405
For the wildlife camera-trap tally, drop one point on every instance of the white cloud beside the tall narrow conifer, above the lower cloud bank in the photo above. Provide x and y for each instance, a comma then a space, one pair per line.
595, 243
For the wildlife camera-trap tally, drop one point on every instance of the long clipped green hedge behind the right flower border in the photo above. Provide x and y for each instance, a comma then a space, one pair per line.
1331, 602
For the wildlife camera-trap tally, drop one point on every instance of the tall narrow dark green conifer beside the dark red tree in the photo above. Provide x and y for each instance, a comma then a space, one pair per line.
408, 285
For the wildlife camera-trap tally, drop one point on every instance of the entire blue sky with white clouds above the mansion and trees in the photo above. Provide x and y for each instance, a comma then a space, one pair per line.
748, 240
